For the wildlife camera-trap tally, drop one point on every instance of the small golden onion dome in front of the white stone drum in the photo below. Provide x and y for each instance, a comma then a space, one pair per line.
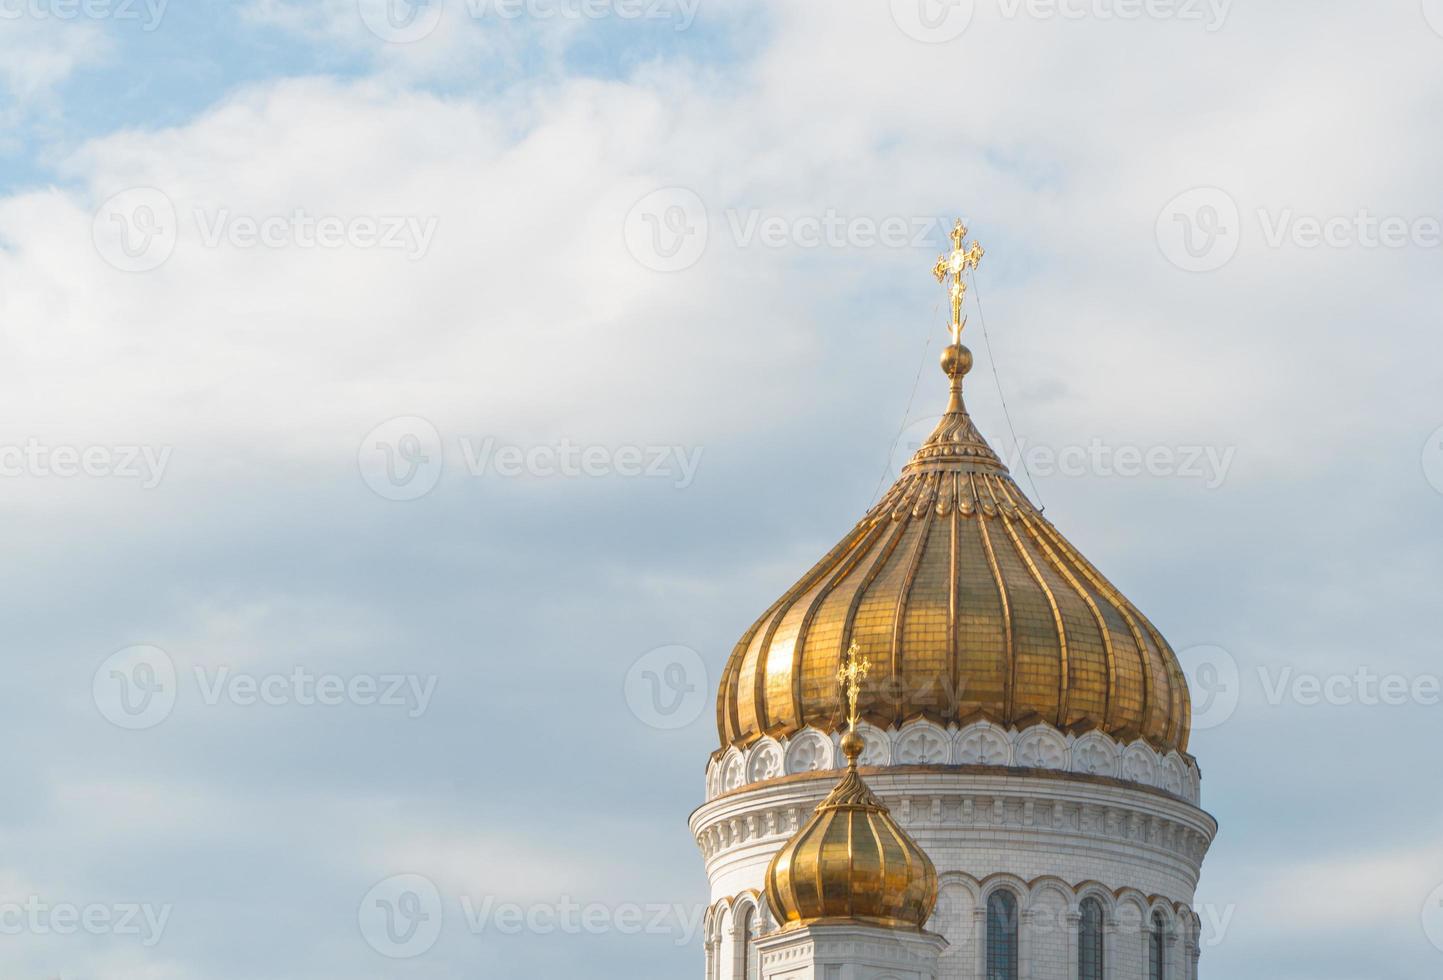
851, 861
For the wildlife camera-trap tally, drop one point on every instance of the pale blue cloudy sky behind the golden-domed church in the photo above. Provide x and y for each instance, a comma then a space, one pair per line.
403, 409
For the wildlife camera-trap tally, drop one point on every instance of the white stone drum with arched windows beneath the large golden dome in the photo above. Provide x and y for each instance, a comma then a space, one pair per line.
1051, 818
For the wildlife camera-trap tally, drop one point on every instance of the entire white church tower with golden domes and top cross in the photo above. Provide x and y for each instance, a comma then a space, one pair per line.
1025, 732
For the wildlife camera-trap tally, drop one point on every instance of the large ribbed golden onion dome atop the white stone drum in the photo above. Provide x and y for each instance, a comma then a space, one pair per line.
970, 604
